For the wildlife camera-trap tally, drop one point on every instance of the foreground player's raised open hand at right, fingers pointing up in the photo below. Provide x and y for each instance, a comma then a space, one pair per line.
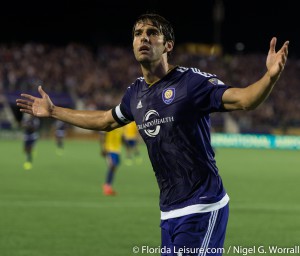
276, 60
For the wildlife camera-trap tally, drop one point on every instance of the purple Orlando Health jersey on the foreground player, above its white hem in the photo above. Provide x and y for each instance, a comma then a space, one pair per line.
172, 116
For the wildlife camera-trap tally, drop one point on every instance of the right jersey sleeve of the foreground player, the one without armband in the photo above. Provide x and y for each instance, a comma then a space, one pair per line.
205, 92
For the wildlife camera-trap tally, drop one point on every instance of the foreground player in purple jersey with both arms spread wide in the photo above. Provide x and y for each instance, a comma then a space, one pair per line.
171, 106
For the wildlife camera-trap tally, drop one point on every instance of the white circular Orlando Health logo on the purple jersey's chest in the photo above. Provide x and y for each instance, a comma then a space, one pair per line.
152, 121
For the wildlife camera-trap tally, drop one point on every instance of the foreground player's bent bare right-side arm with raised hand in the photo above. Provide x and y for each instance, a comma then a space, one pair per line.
253, 95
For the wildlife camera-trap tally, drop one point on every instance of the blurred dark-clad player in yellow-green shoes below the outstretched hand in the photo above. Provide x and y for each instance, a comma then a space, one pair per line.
31, 125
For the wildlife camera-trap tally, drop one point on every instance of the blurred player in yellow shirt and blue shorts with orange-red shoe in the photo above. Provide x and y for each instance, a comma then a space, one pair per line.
111, 147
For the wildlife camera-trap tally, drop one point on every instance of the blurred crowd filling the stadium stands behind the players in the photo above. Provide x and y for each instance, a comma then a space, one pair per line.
97, 78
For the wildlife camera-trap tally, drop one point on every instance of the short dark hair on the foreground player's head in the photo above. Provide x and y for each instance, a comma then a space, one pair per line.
164, 26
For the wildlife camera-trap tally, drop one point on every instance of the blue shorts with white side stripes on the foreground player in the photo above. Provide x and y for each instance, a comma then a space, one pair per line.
200, 234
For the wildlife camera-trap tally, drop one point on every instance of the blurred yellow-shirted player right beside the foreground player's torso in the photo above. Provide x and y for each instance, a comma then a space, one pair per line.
130, 137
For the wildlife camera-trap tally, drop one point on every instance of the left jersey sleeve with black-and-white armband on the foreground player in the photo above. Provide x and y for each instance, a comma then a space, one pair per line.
122, 113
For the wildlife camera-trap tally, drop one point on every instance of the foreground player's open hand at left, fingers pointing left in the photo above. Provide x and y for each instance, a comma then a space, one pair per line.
40, 107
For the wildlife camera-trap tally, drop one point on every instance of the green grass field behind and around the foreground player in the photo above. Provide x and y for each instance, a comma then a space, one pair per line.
57, 208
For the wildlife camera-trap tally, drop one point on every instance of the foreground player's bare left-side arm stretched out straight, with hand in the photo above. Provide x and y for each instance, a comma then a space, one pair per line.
44, 107
